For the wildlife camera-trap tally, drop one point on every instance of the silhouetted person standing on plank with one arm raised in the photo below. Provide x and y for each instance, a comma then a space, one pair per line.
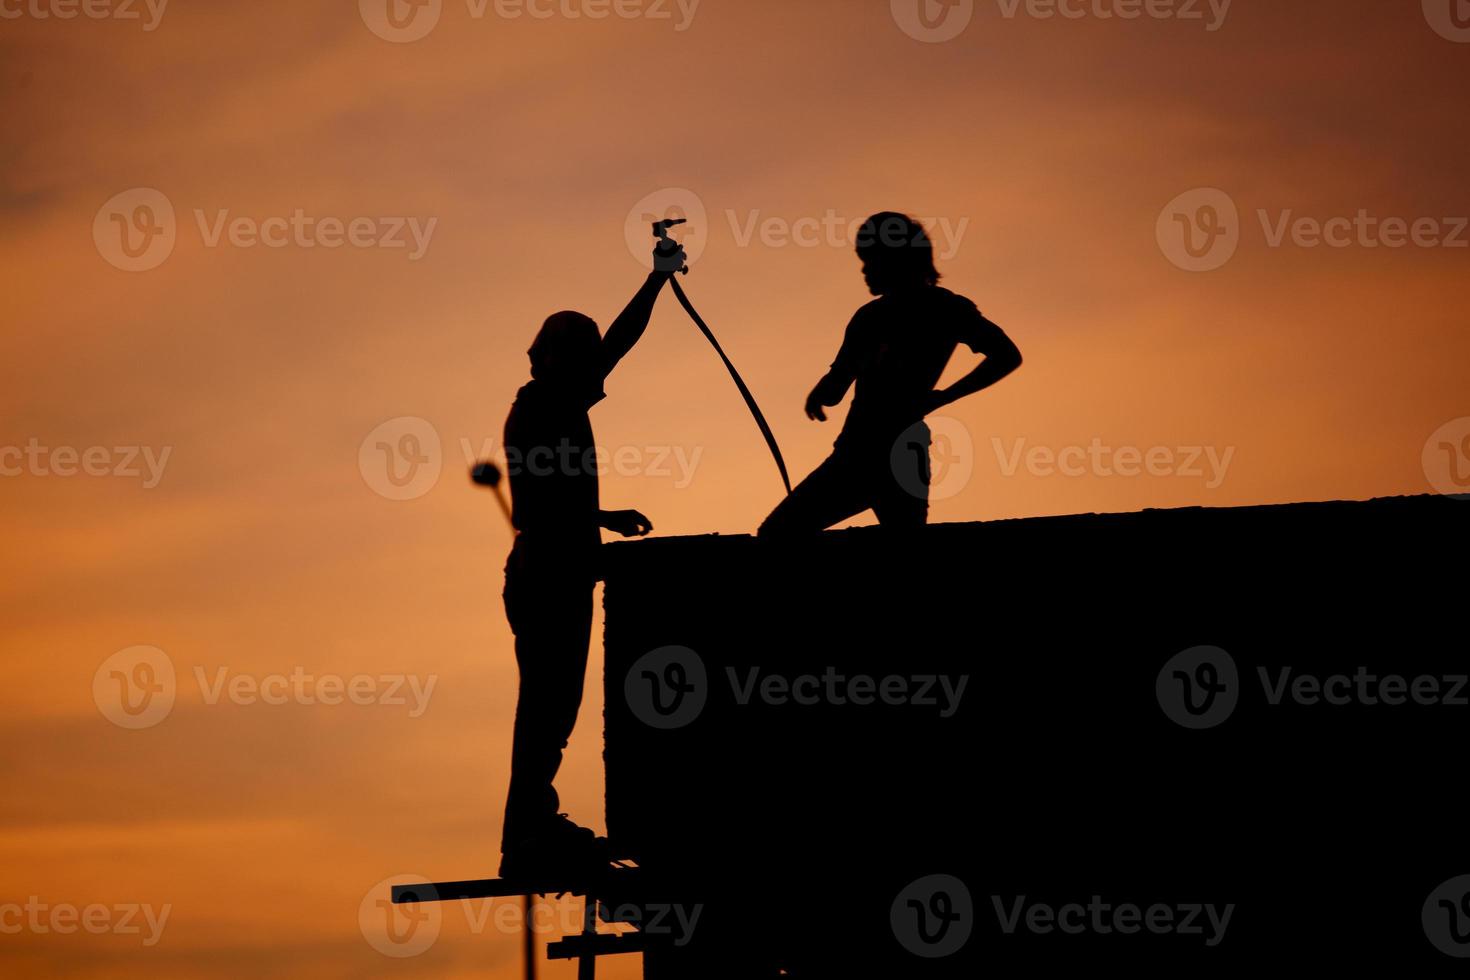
552, 572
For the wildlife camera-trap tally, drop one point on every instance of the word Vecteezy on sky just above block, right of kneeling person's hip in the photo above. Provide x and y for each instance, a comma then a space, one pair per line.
1208, 464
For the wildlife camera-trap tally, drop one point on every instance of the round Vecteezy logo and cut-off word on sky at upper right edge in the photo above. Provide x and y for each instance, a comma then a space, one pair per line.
1200, 231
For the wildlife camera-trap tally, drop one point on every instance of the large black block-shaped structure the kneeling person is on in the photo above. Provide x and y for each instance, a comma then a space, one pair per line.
796, 816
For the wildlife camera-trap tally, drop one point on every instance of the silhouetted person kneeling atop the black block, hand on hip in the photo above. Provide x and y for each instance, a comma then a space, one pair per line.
896, 350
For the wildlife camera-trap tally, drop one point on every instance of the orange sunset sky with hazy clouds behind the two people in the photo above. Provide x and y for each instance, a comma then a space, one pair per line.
237, 515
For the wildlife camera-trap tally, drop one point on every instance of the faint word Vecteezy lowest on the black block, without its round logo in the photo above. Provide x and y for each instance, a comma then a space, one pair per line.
1103, 919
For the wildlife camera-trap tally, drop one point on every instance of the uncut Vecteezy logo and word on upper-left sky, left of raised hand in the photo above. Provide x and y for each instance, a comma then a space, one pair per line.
136, 231
